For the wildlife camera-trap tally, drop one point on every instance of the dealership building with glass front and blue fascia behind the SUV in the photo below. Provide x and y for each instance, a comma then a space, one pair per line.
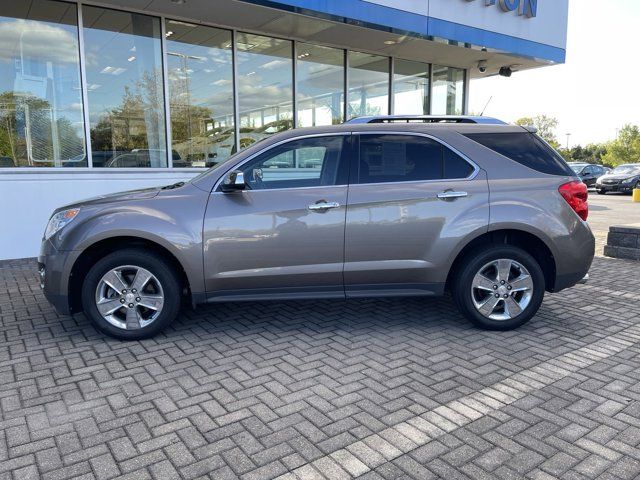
100, 97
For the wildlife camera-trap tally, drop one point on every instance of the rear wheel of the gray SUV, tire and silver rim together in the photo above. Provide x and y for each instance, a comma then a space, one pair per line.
501, 288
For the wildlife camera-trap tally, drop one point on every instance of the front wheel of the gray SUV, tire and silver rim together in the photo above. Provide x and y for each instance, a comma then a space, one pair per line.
131, 294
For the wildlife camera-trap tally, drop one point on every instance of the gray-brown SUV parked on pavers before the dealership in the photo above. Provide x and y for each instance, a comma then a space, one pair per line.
488, 212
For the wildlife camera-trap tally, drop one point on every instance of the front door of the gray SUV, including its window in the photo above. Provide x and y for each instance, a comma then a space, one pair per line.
283, 235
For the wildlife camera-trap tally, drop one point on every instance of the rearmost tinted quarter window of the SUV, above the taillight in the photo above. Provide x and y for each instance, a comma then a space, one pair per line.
526, 149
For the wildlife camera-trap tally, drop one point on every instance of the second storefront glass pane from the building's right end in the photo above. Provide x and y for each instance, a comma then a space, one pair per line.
410, 88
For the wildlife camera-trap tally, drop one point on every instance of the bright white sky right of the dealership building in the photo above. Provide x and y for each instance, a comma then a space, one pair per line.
595, 93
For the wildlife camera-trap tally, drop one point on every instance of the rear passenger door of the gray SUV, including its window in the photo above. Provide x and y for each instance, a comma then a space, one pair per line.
412, 200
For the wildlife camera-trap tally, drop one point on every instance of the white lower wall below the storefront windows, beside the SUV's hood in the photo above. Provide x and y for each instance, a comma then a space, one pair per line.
28, 198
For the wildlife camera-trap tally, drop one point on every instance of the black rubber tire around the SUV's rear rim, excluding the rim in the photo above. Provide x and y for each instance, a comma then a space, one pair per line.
472, 264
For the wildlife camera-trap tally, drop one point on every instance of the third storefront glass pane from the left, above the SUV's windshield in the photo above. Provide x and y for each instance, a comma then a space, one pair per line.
200, 71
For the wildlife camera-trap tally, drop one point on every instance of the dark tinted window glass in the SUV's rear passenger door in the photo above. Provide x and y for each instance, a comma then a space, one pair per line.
408, 158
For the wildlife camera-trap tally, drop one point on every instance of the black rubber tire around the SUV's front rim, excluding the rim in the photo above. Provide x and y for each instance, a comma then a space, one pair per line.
161, 269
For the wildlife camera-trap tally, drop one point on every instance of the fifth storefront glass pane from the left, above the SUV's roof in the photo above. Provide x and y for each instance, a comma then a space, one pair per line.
320, 85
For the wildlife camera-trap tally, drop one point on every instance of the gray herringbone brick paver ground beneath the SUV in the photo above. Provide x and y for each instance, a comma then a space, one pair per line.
372, 388
